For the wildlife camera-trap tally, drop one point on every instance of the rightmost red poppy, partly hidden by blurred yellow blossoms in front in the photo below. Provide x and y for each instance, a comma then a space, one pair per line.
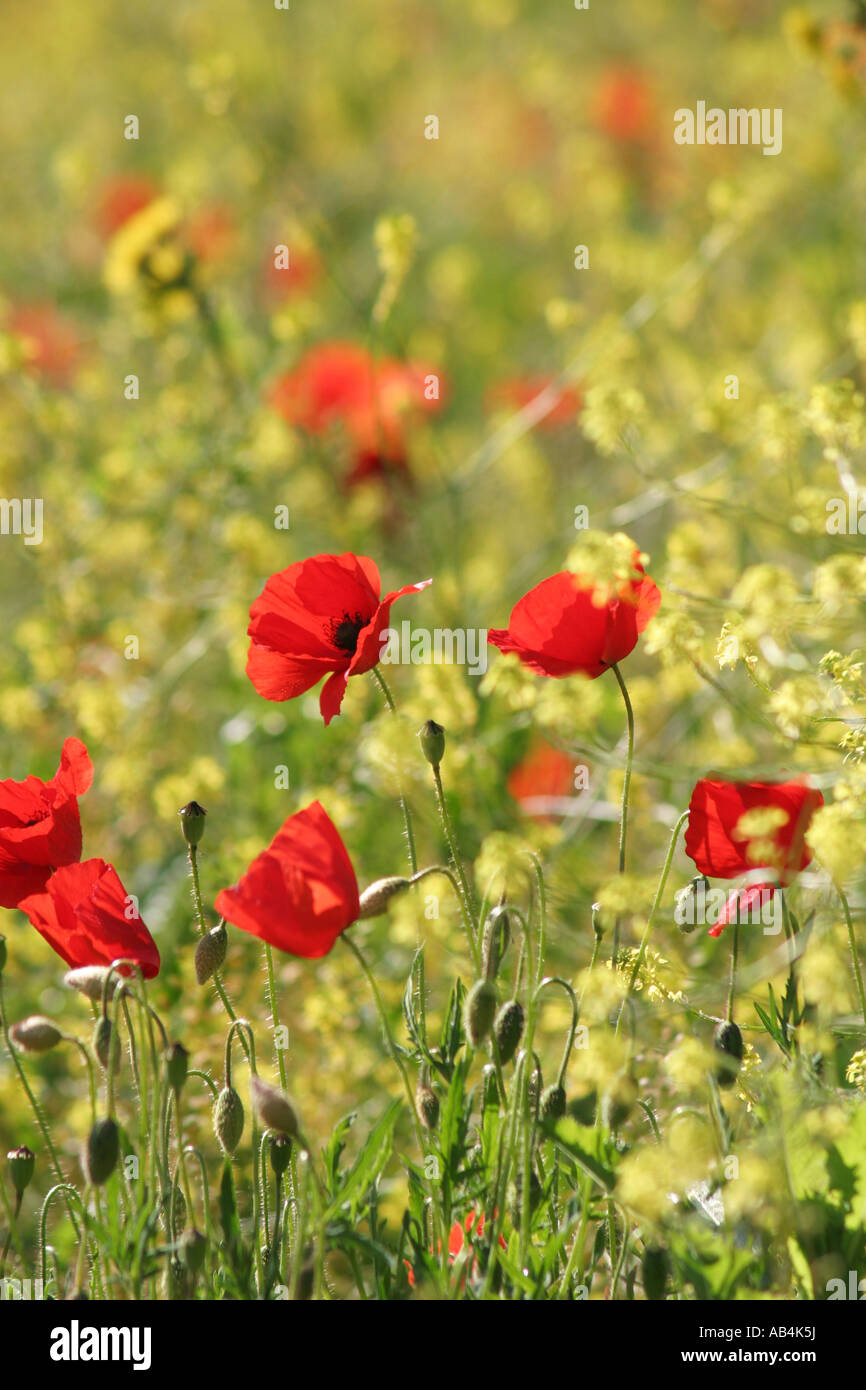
722, 850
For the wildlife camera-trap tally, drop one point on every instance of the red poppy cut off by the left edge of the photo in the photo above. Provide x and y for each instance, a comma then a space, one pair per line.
40, 825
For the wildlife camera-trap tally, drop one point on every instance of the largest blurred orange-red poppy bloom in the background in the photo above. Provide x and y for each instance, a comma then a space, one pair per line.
341, 386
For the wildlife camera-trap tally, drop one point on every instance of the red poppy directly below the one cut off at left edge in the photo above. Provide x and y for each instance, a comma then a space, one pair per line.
87, 915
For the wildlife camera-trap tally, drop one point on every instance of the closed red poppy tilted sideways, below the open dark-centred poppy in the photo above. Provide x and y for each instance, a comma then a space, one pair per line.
301, 893
